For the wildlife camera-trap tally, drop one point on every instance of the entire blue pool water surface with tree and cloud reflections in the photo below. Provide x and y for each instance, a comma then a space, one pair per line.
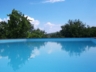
48, 55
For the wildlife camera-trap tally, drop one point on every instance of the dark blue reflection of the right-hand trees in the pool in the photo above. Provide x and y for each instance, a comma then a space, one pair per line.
77, 47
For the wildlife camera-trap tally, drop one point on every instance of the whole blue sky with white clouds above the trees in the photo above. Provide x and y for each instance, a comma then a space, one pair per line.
50, 15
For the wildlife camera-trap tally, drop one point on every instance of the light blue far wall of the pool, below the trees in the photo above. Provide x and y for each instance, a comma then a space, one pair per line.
48, 39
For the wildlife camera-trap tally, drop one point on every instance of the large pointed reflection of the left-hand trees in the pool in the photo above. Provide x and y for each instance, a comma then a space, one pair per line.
18, 53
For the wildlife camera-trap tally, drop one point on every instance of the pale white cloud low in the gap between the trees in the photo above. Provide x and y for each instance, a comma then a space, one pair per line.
50, 27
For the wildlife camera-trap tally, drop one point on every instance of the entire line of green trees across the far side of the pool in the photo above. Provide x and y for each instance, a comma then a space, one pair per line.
18, 26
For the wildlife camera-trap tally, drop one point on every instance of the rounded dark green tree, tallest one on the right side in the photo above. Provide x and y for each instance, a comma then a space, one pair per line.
73, 29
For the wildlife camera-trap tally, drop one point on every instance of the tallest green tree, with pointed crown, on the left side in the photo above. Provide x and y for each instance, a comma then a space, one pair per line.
18, 26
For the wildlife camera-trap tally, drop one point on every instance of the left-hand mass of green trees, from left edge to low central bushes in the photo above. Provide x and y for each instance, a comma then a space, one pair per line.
18, 26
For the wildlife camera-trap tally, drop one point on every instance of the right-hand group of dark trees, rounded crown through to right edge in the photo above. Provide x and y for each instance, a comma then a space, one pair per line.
76, 28
